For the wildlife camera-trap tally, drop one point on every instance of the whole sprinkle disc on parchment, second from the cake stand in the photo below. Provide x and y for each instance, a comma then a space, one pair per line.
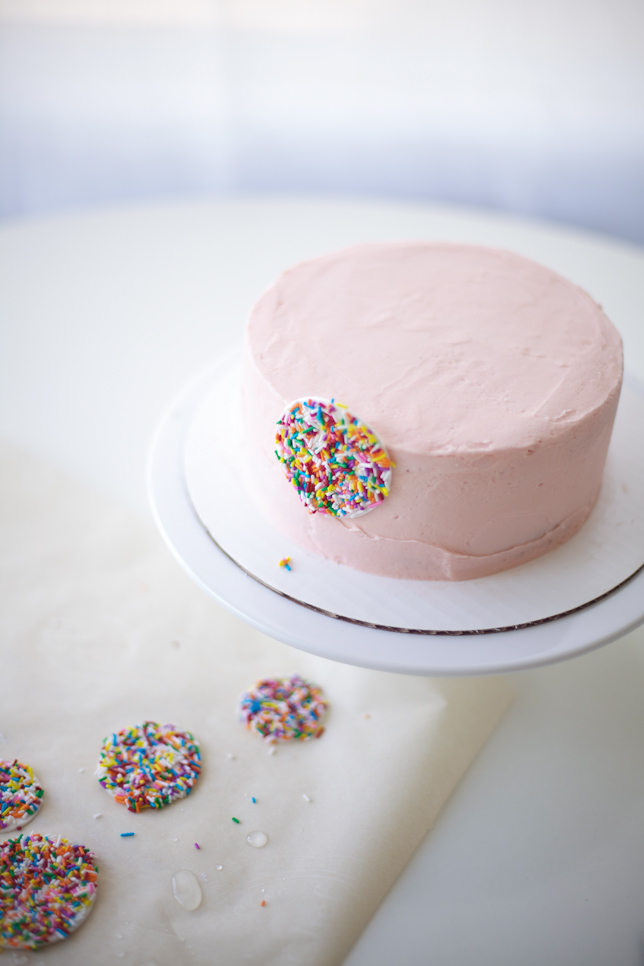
149, 766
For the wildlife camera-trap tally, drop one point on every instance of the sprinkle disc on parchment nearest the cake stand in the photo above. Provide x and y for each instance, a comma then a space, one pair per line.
282, 708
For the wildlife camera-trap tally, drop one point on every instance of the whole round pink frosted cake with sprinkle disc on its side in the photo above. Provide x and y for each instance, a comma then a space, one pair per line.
489, 382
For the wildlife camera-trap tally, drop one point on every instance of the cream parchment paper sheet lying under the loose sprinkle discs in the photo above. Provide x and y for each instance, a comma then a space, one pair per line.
101, 630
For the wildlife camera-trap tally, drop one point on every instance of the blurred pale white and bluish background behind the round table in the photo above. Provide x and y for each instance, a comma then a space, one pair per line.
535, 108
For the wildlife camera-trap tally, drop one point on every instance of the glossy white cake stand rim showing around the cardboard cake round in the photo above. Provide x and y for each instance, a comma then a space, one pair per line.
307, 628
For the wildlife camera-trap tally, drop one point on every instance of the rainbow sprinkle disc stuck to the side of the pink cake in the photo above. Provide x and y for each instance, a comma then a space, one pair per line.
336, 463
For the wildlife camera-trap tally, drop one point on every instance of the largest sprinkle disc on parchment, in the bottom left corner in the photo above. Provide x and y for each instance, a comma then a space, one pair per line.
47, 887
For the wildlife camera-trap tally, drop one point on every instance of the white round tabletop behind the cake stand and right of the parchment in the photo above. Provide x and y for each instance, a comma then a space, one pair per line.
539, 856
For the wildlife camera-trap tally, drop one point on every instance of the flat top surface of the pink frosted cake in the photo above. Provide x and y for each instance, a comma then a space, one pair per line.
438, 345
